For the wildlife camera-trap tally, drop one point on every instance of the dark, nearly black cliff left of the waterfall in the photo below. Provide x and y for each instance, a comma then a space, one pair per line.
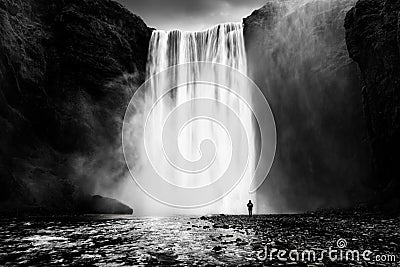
64, 83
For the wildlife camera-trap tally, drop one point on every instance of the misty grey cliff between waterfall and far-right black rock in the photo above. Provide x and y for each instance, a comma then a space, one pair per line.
297, 56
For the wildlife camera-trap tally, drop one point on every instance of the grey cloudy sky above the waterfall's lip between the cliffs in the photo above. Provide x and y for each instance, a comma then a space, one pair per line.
191, 14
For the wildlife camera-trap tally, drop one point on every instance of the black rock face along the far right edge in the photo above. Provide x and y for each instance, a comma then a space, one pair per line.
373, 41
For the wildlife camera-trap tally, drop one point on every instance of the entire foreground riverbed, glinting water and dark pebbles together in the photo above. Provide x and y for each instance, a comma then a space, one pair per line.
105, 240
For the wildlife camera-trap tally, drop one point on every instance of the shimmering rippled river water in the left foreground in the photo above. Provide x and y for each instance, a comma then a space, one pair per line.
118, 240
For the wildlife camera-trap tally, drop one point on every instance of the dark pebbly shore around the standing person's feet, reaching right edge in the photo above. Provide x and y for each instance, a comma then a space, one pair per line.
318, 231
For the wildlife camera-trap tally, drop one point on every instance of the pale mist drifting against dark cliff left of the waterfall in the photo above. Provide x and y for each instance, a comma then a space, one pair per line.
102, 169
